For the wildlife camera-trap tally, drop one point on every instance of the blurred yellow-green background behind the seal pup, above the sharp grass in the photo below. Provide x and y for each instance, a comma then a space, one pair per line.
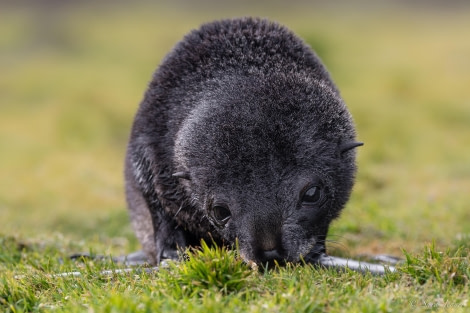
74, 72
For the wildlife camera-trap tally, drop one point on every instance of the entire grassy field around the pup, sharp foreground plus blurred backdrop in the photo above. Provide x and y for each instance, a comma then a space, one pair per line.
70, 84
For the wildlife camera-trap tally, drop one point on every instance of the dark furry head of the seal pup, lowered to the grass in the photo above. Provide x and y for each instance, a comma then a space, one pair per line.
269, 160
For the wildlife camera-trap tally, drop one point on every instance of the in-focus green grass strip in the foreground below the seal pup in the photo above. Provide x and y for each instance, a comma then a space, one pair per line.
215, 280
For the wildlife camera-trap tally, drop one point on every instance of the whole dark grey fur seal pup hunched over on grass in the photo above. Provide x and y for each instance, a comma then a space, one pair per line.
241, 135
